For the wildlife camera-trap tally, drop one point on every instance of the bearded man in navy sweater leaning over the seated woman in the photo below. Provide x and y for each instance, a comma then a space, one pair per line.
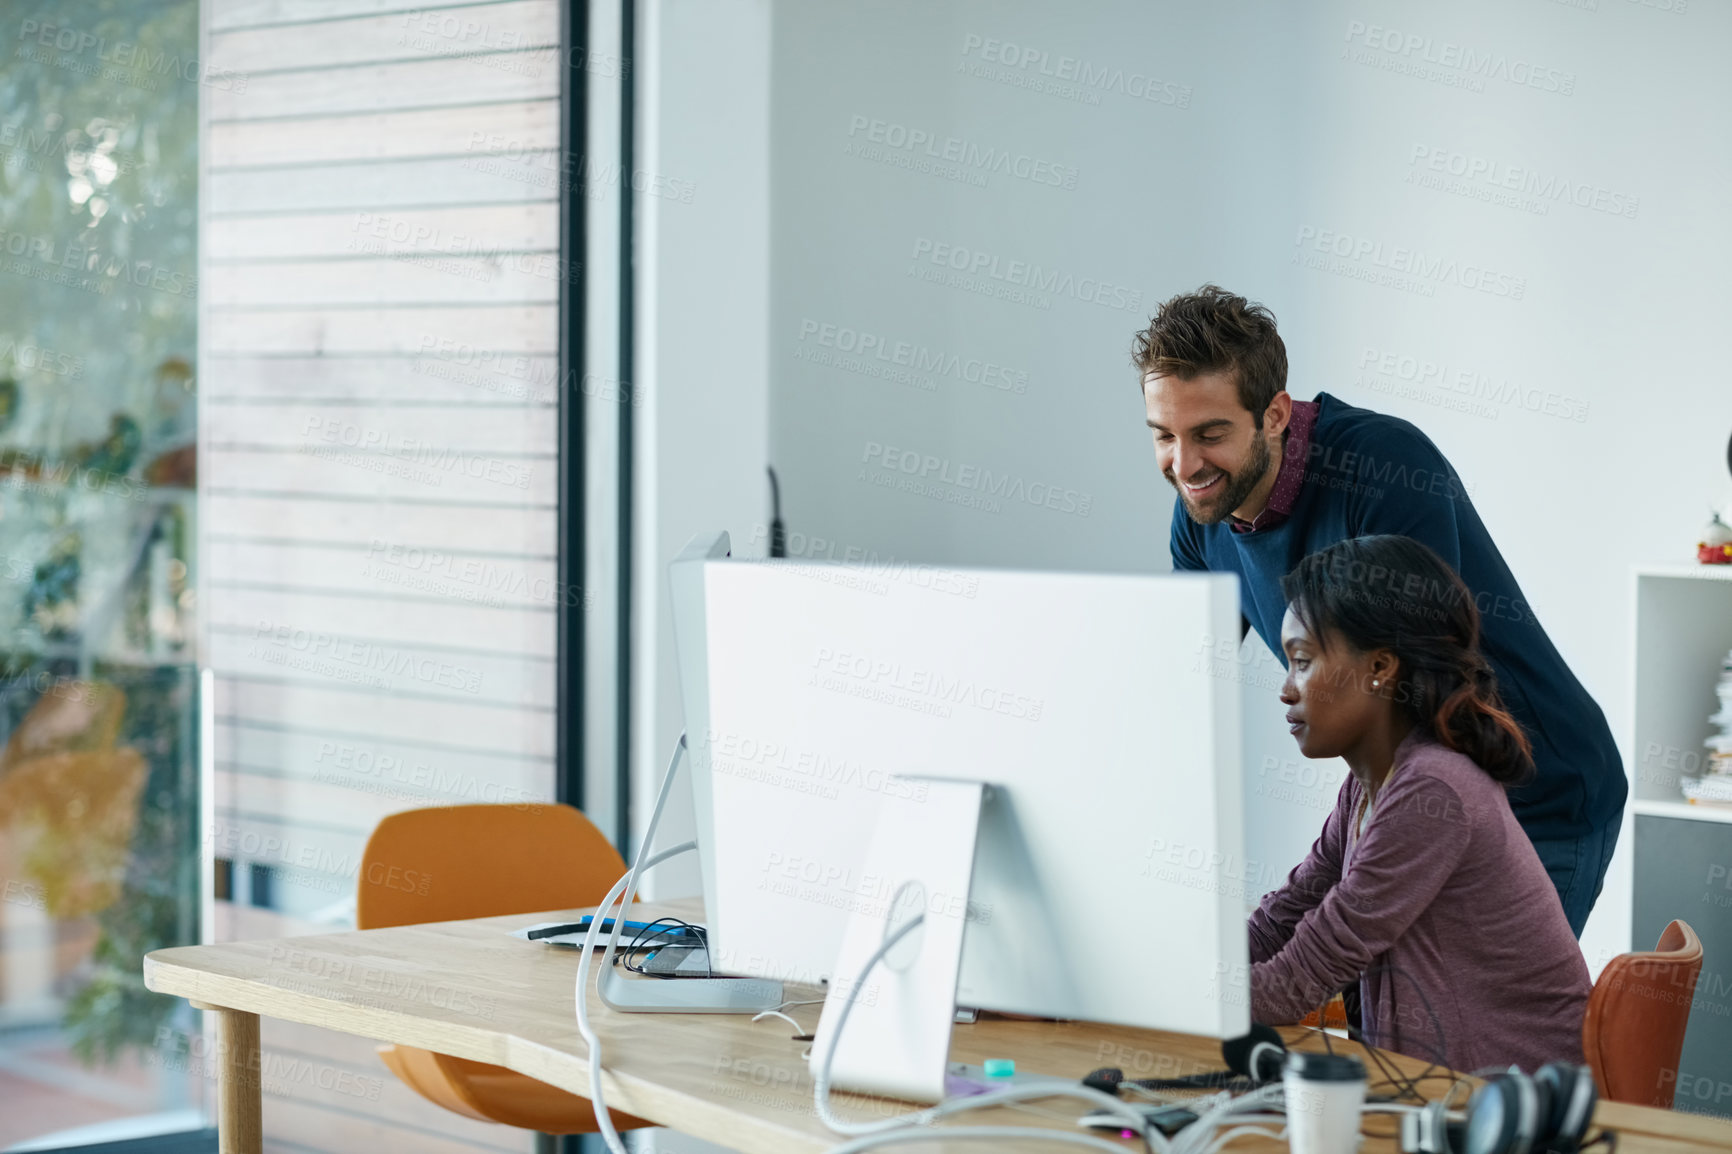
1265, 481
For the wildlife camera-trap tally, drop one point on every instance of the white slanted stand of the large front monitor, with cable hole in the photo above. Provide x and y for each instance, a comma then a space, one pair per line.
898, 1034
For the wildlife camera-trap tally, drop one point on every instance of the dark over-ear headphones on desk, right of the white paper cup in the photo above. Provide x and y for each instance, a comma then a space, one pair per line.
1513, 1113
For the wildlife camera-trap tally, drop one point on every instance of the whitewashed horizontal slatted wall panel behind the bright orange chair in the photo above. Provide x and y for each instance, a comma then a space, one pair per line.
382, 282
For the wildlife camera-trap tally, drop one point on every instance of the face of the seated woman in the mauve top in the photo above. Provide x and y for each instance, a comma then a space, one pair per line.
1329, 694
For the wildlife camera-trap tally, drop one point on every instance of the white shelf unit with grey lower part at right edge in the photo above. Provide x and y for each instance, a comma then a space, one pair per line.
1679, 852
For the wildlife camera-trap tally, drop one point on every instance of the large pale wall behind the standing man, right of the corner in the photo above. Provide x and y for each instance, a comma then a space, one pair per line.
1270, 127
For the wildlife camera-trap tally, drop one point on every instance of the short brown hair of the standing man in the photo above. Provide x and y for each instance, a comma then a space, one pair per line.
1215, 332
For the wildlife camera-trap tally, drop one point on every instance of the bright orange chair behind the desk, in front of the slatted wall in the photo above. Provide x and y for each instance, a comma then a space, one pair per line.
489, 860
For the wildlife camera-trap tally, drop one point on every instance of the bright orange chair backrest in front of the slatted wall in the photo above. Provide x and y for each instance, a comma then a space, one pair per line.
475, 862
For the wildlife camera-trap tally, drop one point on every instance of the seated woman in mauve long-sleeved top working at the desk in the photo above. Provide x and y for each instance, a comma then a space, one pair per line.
1423, 886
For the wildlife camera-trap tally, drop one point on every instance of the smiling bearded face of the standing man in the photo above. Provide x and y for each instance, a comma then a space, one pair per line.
1208, 446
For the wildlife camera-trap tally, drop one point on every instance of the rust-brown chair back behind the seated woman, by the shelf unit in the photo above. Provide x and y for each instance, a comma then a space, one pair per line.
1634, 1030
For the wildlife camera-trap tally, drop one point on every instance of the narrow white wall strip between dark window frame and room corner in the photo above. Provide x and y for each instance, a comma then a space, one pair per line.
704, 290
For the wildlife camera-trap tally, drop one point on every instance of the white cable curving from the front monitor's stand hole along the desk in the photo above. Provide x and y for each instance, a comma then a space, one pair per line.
898, 1129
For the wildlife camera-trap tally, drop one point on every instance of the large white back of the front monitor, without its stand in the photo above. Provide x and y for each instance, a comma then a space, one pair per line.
1109, 869
